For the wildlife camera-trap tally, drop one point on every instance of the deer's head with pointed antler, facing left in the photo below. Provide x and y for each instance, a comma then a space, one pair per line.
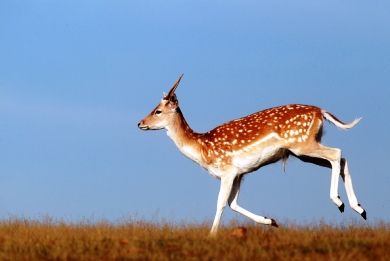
163, 114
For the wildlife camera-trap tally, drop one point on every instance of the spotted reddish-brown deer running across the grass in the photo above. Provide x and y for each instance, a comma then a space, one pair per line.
244, 145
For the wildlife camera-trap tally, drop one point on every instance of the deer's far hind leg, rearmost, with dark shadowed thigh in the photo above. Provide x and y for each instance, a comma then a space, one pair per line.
345, 175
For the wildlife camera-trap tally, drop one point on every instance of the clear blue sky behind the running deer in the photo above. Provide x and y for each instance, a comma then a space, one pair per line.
76, 77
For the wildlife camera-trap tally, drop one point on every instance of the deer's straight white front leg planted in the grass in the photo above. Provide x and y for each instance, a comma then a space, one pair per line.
224, 193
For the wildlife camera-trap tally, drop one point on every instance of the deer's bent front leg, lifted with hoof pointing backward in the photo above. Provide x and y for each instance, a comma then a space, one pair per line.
233, 203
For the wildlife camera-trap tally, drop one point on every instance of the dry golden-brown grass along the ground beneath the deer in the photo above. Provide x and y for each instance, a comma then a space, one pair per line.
24, 239
